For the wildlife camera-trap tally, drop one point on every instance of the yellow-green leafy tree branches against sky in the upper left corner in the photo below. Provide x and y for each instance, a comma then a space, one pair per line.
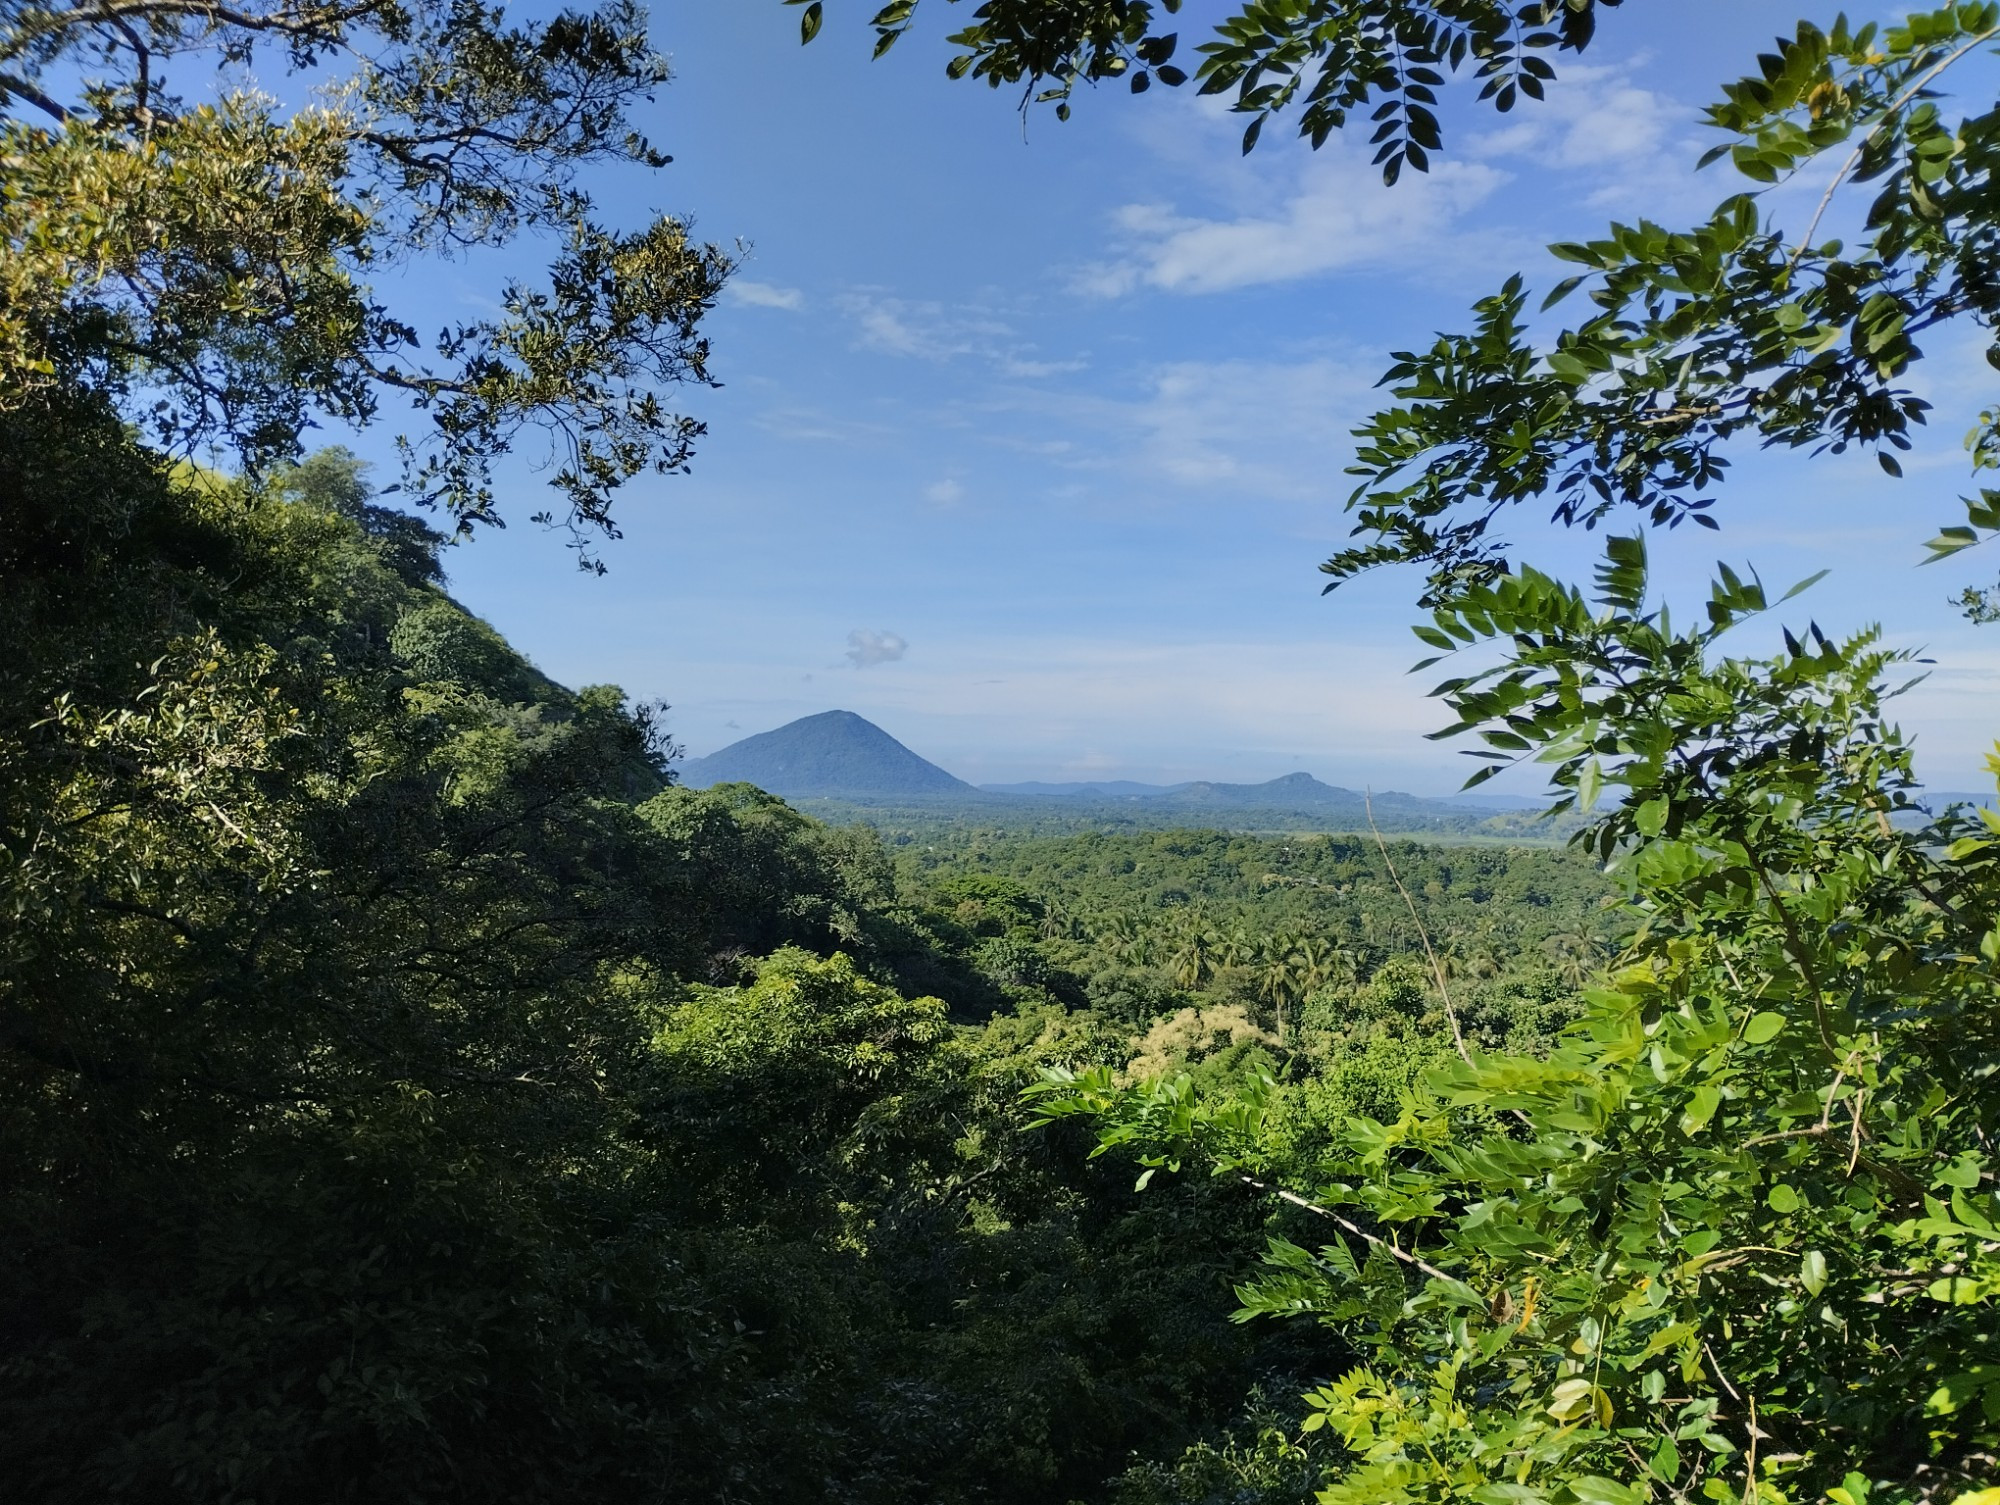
205, 267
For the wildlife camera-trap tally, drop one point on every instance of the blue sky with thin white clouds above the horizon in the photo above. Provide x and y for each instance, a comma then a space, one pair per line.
1033, 433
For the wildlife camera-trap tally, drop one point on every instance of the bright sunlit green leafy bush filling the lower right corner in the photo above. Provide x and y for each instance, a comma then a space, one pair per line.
1737, 1238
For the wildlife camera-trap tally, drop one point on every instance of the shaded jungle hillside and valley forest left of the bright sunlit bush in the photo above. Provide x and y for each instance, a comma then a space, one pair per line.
409, 1092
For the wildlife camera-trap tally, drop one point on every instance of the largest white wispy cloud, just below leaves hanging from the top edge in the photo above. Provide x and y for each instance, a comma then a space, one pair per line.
1333, 217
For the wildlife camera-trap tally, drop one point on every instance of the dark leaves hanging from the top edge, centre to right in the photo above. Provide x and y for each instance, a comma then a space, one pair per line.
1327, 59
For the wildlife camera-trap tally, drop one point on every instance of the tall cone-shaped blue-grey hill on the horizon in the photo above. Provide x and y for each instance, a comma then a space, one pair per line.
831, 756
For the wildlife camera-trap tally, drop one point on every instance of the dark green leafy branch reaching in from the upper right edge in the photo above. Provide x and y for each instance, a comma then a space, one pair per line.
1731, 329
